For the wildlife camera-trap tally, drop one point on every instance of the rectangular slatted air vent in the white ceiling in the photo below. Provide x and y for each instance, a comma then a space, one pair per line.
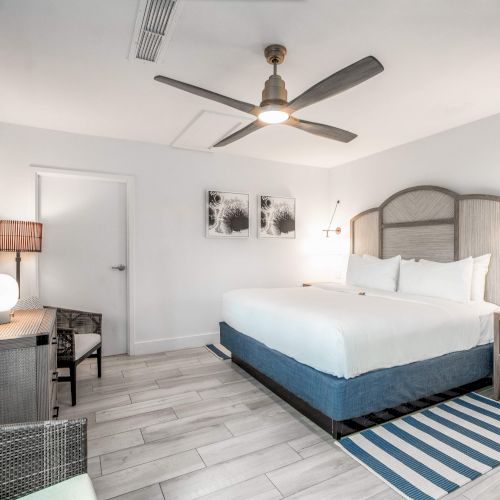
153, 28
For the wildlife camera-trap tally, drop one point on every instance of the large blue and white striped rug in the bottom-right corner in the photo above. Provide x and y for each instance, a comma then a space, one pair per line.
428, 454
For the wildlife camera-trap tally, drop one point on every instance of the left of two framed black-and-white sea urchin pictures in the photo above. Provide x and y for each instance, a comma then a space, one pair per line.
227, 215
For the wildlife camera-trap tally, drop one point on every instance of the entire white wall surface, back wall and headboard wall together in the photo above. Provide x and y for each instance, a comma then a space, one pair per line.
180, 275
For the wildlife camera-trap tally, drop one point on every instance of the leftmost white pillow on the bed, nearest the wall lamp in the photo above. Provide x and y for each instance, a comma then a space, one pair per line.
381, 274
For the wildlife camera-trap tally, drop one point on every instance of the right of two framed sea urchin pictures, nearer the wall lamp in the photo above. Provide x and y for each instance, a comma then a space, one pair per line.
277, 217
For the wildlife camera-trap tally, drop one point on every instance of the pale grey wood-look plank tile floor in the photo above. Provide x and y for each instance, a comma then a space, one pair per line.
184, 425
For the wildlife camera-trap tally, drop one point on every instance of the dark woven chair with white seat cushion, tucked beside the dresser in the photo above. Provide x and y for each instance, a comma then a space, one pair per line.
79, 337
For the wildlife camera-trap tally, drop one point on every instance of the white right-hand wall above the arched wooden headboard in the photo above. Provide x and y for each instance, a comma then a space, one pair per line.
464, 159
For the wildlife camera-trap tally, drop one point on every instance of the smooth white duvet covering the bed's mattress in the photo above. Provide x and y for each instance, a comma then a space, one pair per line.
335, 330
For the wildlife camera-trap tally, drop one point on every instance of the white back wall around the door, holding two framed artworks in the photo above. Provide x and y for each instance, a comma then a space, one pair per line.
180, 274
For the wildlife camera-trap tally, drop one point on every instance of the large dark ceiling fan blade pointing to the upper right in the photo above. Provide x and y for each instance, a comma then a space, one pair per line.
338, 82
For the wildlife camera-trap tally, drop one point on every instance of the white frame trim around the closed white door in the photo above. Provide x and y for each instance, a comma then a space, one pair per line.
129, 181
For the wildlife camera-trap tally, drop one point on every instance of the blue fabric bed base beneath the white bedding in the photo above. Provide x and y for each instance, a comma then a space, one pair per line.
341, 399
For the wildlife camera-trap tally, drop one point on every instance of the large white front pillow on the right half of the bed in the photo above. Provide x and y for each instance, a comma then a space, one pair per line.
450, 280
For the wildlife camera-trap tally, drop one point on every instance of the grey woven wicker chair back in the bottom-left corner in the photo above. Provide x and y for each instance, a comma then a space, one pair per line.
34, 456
